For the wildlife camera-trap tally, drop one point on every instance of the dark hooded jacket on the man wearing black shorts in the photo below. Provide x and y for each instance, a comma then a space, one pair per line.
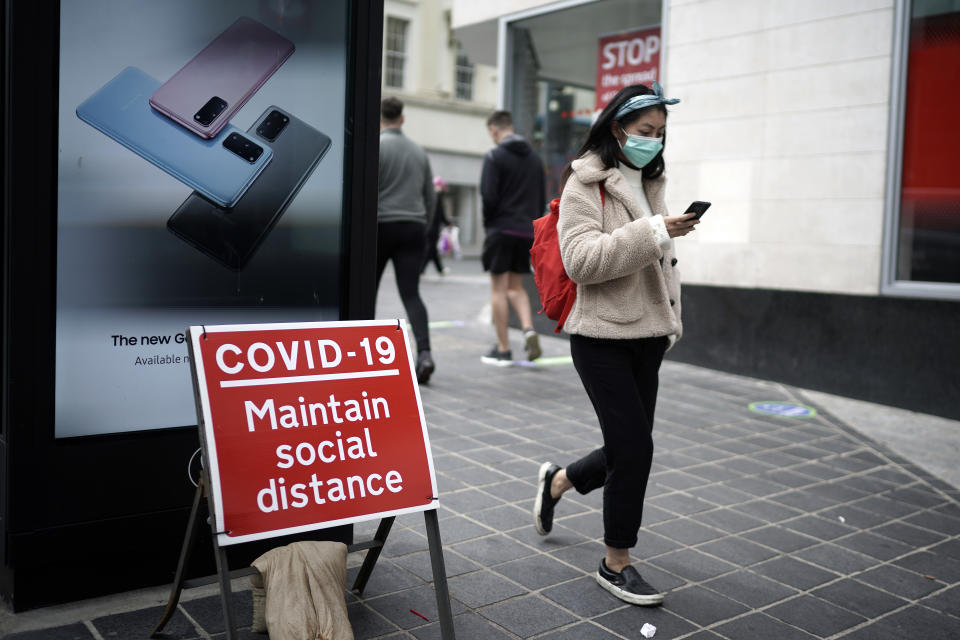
512, 187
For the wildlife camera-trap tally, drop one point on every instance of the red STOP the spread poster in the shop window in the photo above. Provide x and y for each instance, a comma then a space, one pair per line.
625, 58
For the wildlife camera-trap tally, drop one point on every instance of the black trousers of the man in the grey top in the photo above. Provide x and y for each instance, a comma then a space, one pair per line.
404, 243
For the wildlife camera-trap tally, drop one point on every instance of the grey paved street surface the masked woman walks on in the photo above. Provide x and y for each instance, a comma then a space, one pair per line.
844, 523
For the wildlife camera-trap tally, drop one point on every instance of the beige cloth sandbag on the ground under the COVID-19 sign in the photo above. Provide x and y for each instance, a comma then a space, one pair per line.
304, 584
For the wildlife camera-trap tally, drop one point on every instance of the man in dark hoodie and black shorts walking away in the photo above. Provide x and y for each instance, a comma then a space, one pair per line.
513, 192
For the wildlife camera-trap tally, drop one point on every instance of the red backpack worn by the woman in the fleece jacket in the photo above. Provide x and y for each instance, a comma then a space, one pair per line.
557, 291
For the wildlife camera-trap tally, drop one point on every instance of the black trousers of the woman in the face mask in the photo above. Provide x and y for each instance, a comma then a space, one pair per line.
621, 377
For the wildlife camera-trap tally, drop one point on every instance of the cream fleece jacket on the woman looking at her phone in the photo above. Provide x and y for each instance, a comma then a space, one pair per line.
627, 283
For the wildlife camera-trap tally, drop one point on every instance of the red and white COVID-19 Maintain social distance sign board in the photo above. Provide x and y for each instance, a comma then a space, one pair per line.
309, 425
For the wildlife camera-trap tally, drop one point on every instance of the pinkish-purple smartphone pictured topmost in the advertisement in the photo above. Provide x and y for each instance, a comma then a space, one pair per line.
209, 89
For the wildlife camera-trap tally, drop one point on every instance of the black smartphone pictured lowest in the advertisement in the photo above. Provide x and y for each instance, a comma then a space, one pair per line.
231, 236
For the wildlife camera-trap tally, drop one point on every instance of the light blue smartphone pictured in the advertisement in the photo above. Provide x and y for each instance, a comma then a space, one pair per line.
221, 168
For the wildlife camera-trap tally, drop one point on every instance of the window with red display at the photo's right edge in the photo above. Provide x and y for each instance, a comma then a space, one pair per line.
928, 233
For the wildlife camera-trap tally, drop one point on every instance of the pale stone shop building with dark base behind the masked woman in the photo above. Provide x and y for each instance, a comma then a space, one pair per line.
823, 134
